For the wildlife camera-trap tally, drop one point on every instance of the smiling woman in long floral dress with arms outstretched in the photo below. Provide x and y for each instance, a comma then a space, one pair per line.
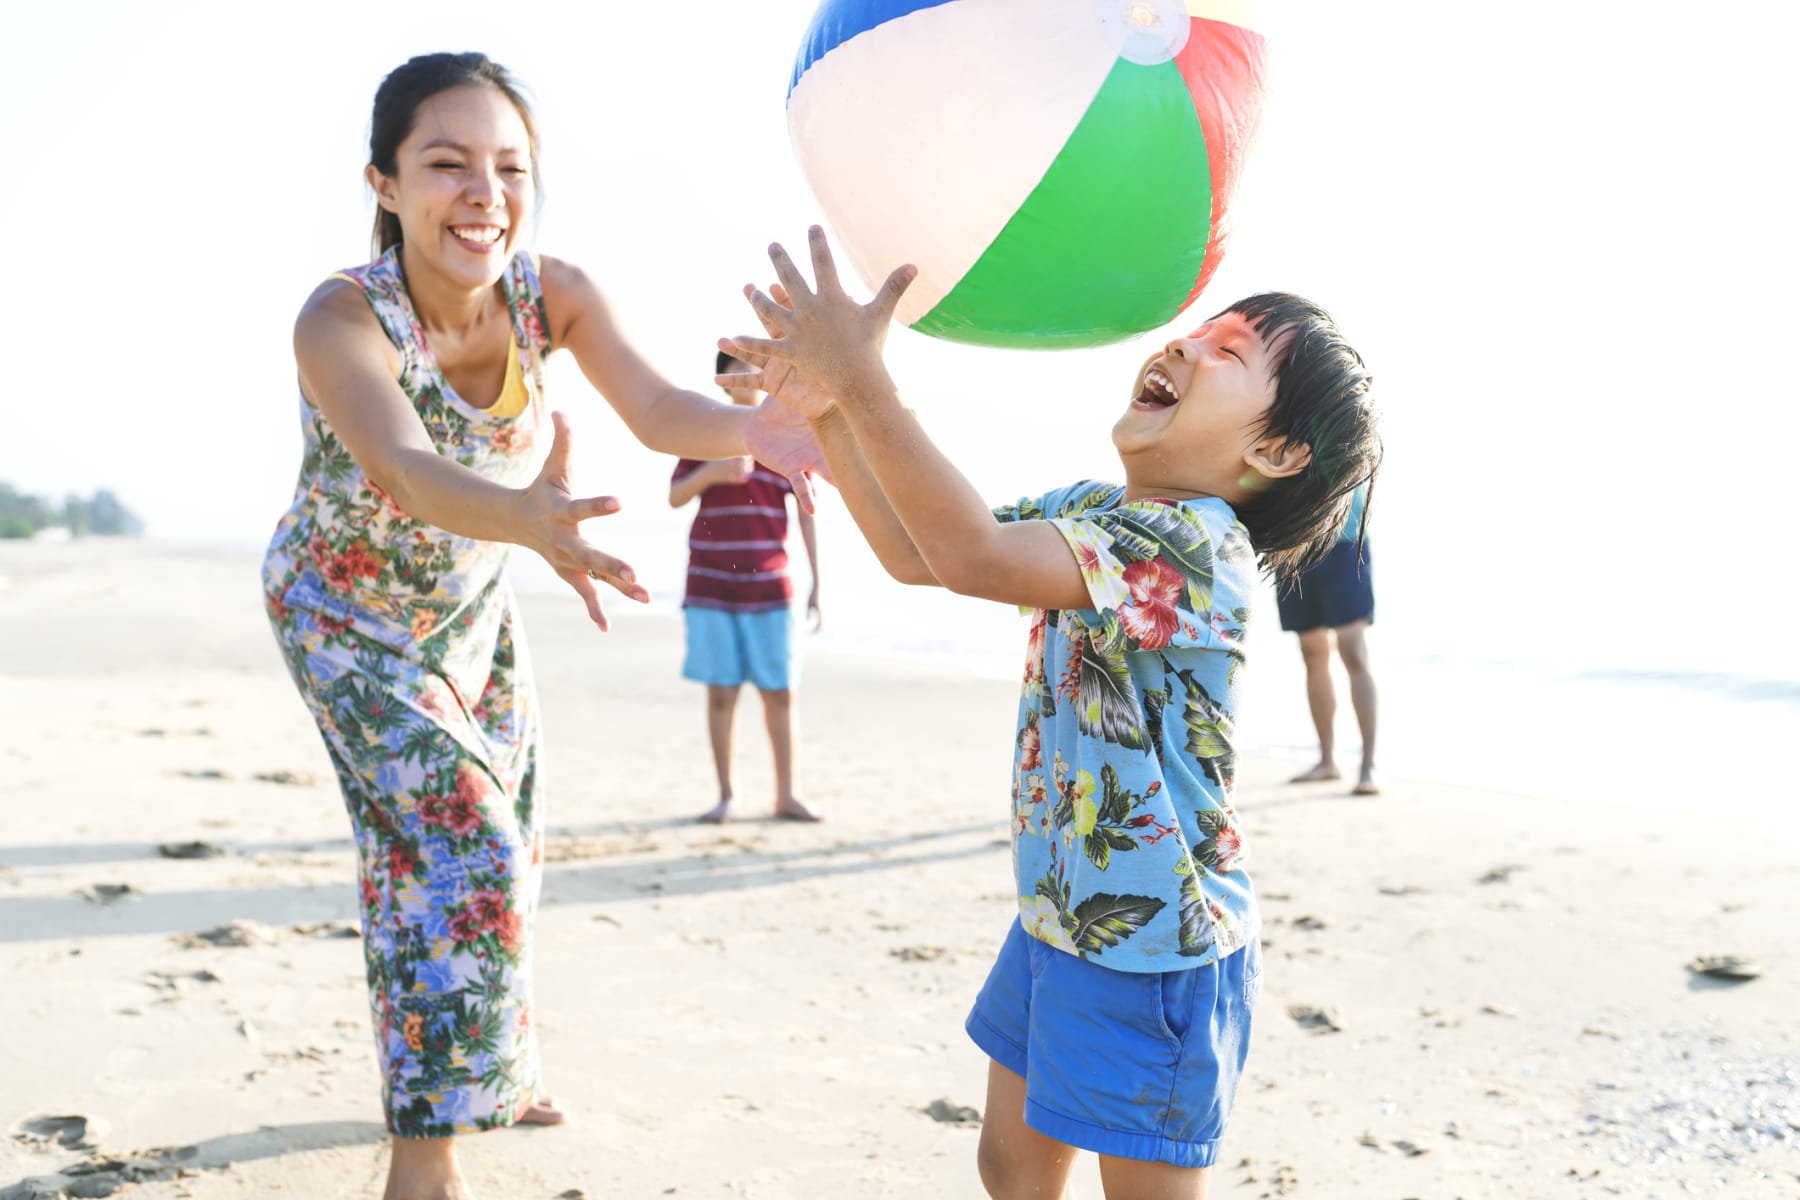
424, 420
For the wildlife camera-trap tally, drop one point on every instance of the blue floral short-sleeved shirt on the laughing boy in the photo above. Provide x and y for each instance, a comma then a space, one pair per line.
1126, 846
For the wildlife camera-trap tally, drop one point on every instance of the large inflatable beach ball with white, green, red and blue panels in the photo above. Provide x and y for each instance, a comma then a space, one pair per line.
1057, 170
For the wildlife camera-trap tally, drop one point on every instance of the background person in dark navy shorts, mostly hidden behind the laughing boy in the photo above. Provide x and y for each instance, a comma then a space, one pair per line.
1336, 604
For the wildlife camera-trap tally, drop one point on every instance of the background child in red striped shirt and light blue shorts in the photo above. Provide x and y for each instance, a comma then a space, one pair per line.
739, 604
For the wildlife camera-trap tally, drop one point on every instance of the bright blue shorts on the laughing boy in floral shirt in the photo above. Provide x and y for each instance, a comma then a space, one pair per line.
1135, 1066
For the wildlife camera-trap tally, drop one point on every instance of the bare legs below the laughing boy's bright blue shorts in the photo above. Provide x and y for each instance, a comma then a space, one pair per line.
1018, 1163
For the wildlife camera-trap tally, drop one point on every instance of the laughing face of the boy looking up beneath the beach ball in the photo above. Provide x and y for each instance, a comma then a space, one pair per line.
1196, 409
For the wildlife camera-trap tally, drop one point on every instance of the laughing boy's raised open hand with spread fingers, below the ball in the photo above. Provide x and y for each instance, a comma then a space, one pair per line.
825, 334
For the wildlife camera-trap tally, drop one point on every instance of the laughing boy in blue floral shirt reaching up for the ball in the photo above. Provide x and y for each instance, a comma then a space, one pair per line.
1119, 1012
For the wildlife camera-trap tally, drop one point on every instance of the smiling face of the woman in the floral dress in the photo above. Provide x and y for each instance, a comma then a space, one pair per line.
462, 184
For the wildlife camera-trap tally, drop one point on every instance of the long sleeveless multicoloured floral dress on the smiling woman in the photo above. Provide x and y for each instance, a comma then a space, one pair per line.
404, 641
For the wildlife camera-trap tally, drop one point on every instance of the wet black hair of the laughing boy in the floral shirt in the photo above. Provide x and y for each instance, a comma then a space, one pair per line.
1324, 397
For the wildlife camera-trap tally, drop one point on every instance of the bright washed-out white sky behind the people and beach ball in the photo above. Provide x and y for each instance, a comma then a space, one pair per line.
1560, 233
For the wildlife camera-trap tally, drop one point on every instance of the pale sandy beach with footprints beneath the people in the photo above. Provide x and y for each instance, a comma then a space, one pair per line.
1468, 994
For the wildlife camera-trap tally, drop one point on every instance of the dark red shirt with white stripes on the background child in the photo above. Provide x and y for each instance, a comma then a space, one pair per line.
737, 551
